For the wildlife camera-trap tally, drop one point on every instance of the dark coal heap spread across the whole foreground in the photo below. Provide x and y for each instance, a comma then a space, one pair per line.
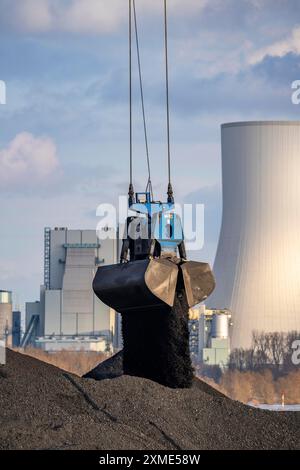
43, 407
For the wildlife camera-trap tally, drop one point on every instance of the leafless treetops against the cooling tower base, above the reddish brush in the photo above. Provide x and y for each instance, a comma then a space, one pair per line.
273, 350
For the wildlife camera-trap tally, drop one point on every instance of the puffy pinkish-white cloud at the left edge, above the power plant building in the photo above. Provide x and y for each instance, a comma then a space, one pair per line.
27, 161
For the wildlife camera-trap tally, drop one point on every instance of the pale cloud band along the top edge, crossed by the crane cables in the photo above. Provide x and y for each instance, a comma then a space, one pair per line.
84, 16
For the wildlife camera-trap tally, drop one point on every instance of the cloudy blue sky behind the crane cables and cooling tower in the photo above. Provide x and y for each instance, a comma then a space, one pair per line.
64, 129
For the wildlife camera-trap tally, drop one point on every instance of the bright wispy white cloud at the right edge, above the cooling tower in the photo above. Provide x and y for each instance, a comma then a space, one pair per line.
278, 48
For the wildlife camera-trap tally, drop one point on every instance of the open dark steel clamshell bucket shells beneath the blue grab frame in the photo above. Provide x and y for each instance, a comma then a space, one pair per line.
145, 284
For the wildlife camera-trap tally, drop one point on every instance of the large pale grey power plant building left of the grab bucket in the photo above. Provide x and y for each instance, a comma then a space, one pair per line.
68, 314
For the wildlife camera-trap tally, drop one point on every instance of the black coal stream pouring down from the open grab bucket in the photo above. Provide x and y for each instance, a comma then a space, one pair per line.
156, 344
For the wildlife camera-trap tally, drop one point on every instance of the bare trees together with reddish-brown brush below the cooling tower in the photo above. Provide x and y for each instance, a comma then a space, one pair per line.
261, 373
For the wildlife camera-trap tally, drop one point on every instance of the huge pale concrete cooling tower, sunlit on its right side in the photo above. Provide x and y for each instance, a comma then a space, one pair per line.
257, 265
